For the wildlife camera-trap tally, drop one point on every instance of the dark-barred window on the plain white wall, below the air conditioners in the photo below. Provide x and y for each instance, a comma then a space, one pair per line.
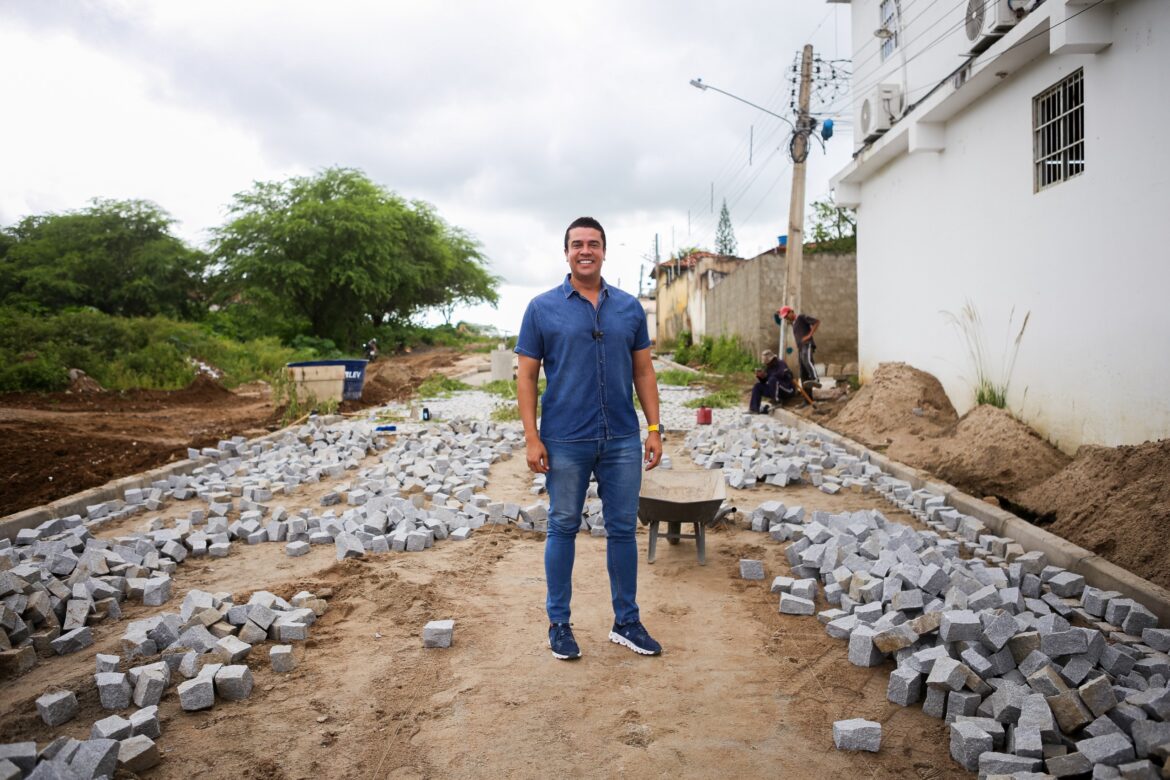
1058, 132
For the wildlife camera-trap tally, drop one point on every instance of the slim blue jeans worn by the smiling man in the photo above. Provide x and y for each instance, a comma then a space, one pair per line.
618, 467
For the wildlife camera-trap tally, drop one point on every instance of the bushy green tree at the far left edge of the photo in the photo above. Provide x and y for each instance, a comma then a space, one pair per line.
118, 257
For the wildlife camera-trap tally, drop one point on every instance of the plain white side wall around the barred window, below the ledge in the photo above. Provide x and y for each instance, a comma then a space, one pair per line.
1085, 259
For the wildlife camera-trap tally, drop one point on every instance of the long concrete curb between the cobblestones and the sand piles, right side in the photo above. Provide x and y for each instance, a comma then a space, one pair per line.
1097, 571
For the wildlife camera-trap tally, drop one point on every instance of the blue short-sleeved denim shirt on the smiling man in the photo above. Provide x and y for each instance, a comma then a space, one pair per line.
588, 356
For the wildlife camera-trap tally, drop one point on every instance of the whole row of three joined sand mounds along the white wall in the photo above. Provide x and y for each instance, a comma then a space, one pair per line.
1112, 501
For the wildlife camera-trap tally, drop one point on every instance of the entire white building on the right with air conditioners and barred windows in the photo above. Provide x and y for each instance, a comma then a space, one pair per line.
1010, 157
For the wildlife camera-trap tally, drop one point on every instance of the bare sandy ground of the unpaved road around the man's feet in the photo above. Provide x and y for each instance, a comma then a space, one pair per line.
741, 691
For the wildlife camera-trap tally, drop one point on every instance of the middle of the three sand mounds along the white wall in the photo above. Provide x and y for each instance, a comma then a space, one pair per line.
990, 453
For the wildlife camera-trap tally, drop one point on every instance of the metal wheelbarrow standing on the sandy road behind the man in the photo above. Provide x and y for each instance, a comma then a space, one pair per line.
677, 498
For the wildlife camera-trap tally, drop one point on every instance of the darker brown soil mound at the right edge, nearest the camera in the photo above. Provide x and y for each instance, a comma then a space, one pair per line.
1114, 501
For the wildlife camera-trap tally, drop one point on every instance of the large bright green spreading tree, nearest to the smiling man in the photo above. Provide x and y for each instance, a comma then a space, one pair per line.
342, 254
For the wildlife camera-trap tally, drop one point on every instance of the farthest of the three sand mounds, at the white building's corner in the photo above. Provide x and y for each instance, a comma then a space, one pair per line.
899, 403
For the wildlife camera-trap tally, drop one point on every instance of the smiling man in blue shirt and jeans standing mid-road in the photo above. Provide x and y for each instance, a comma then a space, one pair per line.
594, 343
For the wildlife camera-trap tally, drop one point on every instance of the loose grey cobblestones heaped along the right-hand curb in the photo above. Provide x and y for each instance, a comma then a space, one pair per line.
1037, 674
